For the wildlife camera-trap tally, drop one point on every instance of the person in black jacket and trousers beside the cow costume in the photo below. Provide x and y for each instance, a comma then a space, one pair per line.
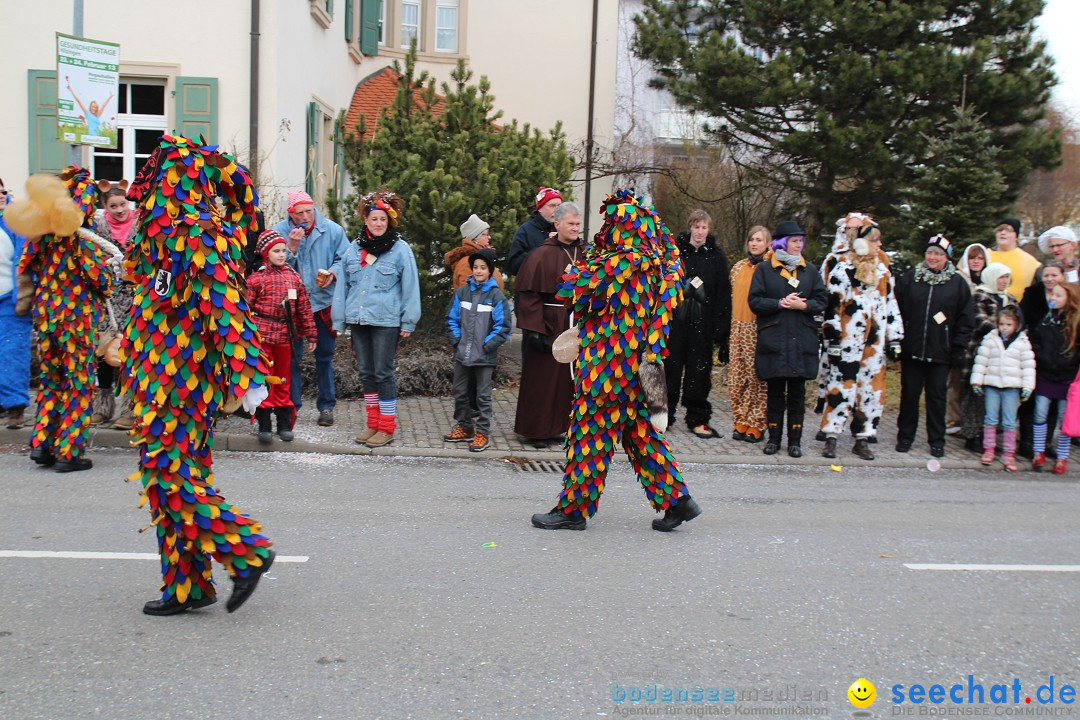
936, 305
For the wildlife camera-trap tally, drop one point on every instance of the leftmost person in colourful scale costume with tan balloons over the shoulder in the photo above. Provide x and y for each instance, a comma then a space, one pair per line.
72, 279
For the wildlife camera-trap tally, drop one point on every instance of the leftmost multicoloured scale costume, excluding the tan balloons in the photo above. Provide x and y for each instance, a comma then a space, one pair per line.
72, 280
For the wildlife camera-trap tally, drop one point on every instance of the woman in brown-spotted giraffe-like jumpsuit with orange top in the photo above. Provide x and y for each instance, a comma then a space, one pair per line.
746, 390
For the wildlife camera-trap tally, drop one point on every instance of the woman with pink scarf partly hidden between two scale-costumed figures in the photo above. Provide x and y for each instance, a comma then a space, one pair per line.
117, 224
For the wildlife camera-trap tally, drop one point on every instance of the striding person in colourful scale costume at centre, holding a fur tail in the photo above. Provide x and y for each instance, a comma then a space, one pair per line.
624, 294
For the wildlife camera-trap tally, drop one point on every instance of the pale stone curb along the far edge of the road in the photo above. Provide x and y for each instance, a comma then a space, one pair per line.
245, 443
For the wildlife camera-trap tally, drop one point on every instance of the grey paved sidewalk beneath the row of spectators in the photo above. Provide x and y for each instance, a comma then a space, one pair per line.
423, 422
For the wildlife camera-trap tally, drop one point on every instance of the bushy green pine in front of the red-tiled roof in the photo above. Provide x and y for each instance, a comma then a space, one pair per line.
449, 159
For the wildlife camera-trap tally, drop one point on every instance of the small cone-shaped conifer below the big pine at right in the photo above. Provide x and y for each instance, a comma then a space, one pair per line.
960, 192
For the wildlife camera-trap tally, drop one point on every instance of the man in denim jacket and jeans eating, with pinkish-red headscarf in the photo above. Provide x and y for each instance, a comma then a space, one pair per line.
316, 247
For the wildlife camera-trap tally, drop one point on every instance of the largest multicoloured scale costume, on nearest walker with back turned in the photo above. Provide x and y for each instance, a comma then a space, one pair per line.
190, 348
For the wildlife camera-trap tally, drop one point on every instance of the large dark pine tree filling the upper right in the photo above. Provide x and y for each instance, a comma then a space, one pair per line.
841, 98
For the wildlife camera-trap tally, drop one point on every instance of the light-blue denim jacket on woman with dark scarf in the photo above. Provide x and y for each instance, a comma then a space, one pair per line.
385, 294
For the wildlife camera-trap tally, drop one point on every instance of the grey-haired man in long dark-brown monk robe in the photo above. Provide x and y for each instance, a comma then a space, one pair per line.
547, 390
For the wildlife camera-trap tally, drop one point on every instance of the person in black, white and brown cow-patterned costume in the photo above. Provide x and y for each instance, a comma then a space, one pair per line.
862, 320
